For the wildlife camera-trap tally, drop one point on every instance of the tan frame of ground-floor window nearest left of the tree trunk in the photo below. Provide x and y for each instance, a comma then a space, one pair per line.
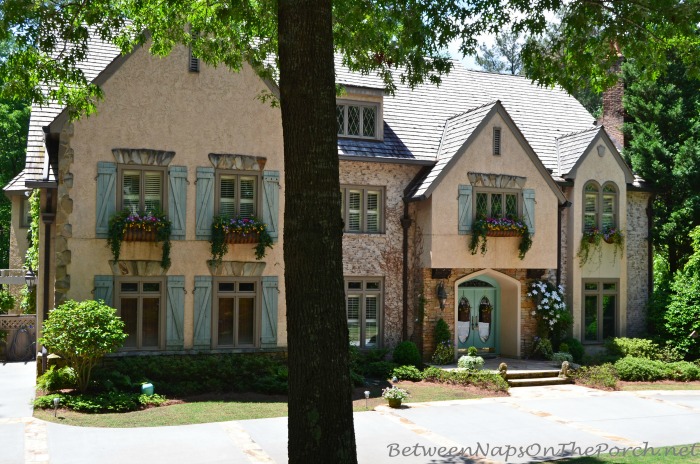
216, 294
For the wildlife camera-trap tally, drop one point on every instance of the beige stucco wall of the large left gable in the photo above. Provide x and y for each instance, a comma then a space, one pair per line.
156, 103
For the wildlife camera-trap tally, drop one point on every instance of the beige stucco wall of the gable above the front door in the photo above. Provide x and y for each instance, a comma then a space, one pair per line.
445, 248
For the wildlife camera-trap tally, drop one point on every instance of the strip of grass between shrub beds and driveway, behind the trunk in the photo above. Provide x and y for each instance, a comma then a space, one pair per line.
240, 406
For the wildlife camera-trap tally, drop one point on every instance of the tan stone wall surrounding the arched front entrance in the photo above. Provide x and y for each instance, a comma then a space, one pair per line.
528, 324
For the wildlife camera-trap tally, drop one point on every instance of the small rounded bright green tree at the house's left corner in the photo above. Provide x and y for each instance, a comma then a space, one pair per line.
82, 333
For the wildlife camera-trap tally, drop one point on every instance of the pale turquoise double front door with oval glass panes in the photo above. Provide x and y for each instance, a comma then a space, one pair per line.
477, 316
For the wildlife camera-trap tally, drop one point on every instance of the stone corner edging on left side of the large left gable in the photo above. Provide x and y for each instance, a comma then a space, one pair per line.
64, 208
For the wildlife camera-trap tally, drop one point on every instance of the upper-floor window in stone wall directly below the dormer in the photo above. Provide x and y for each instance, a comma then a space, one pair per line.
362, 209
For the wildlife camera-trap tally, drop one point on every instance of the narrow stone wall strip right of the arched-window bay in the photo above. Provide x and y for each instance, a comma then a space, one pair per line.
637, 244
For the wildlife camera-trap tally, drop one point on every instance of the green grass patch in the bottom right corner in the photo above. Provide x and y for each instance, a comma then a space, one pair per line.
689, 454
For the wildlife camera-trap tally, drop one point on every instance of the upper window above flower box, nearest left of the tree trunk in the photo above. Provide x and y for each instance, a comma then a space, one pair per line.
237, 194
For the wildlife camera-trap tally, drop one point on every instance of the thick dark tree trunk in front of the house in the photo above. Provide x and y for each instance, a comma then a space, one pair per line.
320, 392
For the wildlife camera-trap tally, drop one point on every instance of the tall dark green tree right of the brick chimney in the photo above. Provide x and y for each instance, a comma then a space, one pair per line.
664, 149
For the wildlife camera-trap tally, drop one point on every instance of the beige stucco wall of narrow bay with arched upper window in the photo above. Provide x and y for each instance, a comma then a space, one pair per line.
605, 264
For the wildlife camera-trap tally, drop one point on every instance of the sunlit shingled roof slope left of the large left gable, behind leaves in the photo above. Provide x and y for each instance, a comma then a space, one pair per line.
100, 55
